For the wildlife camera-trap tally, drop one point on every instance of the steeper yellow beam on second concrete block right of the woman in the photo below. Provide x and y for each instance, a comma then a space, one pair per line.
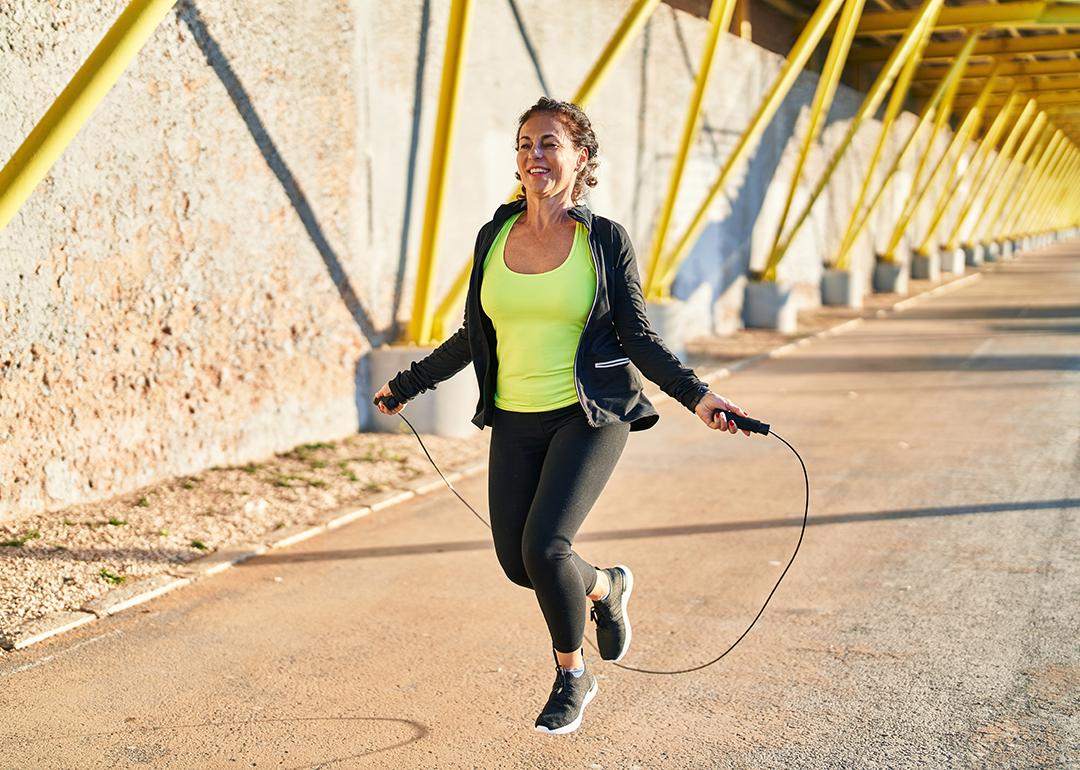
819, 111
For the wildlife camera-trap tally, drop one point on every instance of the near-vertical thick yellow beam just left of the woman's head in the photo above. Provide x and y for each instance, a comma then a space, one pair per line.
457, 35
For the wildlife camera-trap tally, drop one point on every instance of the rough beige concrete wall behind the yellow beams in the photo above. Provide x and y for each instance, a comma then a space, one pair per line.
199, 279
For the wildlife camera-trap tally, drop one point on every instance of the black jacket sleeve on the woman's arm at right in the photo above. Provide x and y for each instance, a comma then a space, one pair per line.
642, 344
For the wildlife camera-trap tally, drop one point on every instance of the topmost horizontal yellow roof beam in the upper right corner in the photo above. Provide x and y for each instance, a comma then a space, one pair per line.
1002, 17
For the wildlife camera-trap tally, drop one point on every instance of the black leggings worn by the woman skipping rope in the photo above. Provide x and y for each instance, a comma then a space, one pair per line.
546, 471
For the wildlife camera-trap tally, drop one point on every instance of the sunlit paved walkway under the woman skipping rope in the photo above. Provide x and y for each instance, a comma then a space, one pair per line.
930, 620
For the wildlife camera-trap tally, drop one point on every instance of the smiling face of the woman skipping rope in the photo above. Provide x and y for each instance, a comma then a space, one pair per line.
547, 159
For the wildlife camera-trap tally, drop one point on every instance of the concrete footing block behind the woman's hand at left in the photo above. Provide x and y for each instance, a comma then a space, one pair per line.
445, 411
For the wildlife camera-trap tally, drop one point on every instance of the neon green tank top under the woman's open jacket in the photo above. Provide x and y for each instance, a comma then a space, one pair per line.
538, 321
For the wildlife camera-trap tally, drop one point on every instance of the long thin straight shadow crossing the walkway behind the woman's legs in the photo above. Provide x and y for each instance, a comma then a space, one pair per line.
453, 547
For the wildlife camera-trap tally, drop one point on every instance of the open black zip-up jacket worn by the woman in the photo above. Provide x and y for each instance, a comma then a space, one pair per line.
617, 334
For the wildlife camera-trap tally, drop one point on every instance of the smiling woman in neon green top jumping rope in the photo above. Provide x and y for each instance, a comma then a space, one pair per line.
555, 318
